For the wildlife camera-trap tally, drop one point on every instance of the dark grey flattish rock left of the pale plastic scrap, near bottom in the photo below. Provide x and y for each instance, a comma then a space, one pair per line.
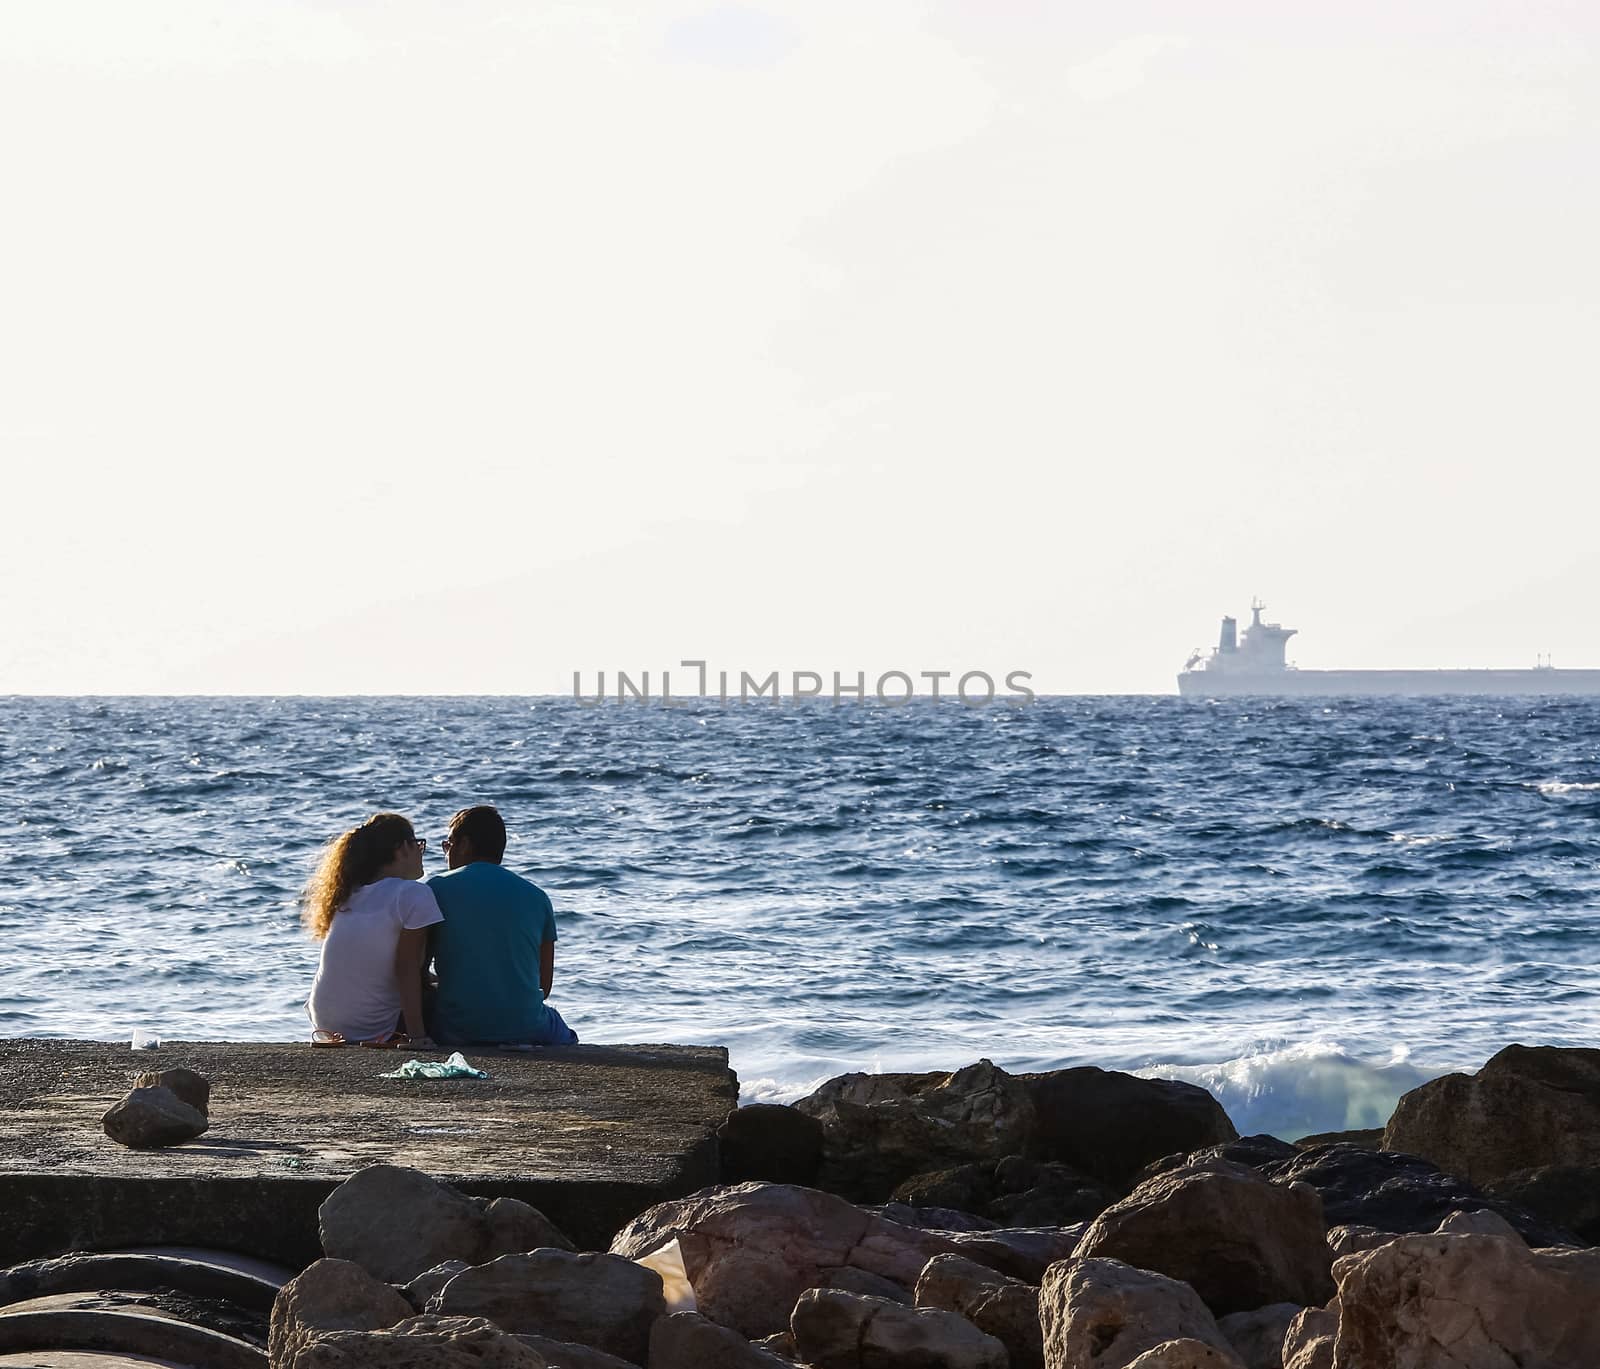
602, 1301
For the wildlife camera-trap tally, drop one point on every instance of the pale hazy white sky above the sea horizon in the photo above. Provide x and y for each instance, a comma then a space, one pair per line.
450, 348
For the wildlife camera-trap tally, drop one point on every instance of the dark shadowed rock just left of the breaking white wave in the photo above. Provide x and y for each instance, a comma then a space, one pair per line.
1110, 1125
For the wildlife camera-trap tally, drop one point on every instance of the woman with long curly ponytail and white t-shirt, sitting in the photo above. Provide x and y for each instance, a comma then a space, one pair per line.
372, 917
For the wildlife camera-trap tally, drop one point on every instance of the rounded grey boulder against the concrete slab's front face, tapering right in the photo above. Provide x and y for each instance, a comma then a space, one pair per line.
399, 1223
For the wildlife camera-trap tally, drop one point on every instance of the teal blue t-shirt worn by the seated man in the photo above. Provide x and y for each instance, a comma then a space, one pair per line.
487, 956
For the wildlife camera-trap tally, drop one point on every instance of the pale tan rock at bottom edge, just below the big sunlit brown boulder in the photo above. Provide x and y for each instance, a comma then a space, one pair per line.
1105, 1315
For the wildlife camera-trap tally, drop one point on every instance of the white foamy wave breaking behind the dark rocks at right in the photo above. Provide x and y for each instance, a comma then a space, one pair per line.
1306, 1088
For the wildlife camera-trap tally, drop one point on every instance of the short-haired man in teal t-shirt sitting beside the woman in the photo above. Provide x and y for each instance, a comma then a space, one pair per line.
495, 952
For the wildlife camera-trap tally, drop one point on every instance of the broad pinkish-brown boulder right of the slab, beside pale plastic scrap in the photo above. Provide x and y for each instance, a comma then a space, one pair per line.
753, 1250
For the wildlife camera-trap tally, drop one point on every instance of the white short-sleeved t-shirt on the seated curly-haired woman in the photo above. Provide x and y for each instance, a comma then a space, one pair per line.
356, 992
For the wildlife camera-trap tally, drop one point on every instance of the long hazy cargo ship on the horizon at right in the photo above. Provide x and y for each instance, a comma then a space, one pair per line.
1255, 665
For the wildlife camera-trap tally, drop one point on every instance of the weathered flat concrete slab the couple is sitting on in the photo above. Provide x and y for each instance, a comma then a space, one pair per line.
590, 1135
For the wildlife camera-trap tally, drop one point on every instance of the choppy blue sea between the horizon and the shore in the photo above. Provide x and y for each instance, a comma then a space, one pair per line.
1305, 906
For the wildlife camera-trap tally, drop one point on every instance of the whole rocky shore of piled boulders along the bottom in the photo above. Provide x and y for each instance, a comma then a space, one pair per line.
1076, 1219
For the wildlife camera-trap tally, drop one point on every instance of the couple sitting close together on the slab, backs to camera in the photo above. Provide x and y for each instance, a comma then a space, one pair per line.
489, 933
